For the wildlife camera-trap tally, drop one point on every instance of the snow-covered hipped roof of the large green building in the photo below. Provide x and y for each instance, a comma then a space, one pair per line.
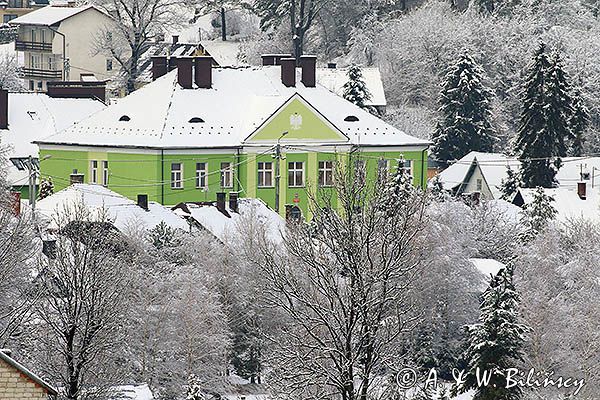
240, 100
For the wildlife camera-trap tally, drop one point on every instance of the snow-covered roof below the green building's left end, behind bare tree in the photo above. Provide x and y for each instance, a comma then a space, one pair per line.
122, 212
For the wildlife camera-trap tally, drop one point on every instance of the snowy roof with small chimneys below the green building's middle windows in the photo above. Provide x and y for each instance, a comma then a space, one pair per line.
226, 228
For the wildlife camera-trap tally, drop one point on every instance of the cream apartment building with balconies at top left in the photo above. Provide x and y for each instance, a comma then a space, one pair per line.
57, 43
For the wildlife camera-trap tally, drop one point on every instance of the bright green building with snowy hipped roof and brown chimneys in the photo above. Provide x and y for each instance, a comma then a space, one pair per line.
198, 130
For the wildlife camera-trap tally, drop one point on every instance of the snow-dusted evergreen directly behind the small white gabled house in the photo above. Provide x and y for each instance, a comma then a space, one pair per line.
465, 113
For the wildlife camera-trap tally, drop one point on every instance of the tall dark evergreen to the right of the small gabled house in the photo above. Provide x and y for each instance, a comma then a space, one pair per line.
544, 127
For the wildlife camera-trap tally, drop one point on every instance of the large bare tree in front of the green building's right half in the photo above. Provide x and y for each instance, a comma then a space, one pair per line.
341, 287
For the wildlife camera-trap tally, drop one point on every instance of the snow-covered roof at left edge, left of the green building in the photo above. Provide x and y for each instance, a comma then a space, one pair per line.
32, 116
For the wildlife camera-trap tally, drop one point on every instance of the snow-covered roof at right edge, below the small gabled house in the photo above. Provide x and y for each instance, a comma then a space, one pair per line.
568, 203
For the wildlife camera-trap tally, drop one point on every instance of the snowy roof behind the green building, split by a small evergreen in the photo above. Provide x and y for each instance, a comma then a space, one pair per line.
335, 78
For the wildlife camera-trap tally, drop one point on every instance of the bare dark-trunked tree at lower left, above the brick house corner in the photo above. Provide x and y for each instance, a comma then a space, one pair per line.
81, 308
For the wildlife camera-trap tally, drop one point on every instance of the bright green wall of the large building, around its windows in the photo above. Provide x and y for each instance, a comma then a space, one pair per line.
141, 173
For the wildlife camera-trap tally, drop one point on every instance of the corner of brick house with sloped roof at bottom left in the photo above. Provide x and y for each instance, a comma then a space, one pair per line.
18, 383
